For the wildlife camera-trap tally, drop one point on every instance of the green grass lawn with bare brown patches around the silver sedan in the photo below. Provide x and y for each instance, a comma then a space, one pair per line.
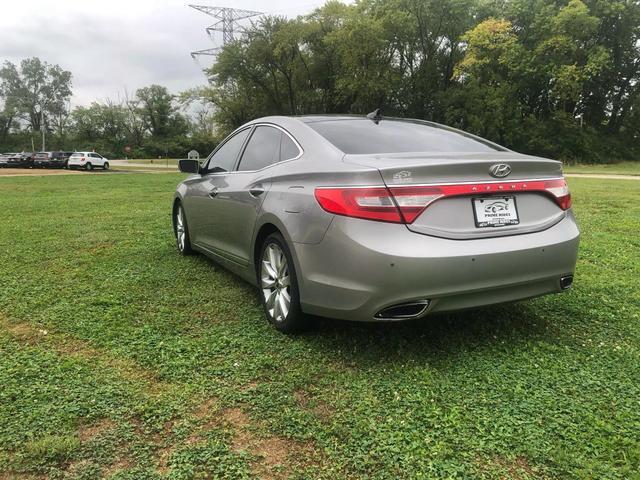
119, 358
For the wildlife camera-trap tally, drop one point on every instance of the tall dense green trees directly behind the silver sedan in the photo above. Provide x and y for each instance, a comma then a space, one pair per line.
548, 77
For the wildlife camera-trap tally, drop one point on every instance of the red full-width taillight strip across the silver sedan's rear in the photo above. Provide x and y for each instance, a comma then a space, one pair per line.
403, 204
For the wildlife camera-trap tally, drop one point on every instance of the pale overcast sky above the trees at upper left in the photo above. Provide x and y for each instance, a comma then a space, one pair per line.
110, 45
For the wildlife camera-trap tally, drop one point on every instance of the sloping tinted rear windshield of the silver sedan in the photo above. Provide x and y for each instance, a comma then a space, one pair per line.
363, 136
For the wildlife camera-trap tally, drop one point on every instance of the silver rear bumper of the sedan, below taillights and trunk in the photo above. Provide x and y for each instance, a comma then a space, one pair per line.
362, 267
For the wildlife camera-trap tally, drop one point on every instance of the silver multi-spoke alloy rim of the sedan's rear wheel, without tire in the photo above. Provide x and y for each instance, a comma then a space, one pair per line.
275, 282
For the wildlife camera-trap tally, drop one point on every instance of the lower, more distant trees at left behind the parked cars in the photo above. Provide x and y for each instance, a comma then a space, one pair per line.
34, 98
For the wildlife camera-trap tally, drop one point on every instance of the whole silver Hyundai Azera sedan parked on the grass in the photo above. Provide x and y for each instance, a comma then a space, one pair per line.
376, 219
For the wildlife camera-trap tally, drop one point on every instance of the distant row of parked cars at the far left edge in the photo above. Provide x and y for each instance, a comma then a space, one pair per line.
71, 160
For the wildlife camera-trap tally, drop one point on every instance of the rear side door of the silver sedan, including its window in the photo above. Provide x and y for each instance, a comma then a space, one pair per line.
240, 198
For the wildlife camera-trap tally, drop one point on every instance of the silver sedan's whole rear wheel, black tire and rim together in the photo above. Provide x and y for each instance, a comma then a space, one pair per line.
277, 282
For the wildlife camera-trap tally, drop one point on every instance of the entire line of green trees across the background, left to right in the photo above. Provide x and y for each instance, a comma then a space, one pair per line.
558, 78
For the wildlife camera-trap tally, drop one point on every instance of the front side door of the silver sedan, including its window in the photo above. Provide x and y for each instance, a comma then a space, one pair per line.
205, 216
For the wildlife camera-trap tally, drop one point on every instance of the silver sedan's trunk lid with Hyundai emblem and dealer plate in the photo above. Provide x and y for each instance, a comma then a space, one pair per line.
467, 200
